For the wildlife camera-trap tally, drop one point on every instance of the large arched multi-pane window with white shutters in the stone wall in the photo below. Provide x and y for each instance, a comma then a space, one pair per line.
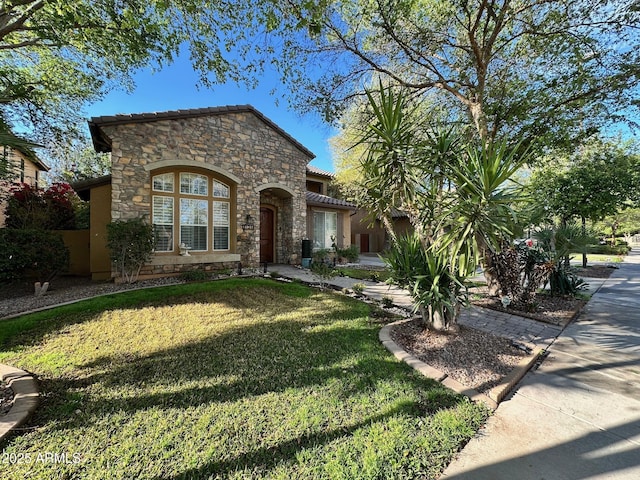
198, 213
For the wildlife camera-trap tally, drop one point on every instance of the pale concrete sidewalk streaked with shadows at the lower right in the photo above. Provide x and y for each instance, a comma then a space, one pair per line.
578, 415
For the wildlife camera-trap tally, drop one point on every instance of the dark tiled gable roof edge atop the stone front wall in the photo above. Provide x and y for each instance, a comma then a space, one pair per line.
103, 144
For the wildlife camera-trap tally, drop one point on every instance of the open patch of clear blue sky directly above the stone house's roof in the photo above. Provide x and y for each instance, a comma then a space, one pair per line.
174, 88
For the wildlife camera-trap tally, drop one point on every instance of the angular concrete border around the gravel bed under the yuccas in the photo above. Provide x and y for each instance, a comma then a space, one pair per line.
495, 396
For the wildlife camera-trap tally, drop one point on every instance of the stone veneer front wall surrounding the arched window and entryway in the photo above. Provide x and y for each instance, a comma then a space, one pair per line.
243, 148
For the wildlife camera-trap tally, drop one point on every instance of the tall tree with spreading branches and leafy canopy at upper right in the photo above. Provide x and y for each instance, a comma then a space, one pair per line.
526, 68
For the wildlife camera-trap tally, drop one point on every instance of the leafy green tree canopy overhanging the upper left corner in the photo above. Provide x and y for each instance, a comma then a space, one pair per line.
56, 55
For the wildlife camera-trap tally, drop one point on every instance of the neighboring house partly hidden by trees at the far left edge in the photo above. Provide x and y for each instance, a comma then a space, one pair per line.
24, 167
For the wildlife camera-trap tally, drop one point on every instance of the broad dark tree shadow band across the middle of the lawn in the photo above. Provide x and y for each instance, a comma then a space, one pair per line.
281, 356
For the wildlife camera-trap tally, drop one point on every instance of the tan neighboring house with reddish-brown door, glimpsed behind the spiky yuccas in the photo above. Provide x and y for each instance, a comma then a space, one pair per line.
371, 236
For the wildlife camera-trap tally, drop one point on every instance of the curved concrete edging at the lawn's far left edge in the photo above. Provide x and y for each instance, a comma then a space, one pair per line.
25, 400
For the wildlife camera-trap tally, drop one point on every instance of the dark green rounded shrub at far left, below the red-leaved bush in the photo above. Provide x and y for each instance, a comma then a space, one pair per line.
40, 253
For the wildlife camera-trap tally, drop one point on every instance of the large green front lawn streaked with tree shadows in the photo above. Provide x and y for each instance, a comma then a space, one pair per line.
232, 379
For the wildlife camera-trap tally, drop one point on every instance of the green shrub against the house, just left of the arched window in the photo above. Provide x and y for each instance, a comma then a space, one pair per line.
131, 244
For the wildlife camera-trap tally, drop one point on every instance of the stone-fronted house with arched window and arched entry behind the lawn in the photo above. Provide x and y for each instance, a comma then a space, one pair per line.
225, 182
